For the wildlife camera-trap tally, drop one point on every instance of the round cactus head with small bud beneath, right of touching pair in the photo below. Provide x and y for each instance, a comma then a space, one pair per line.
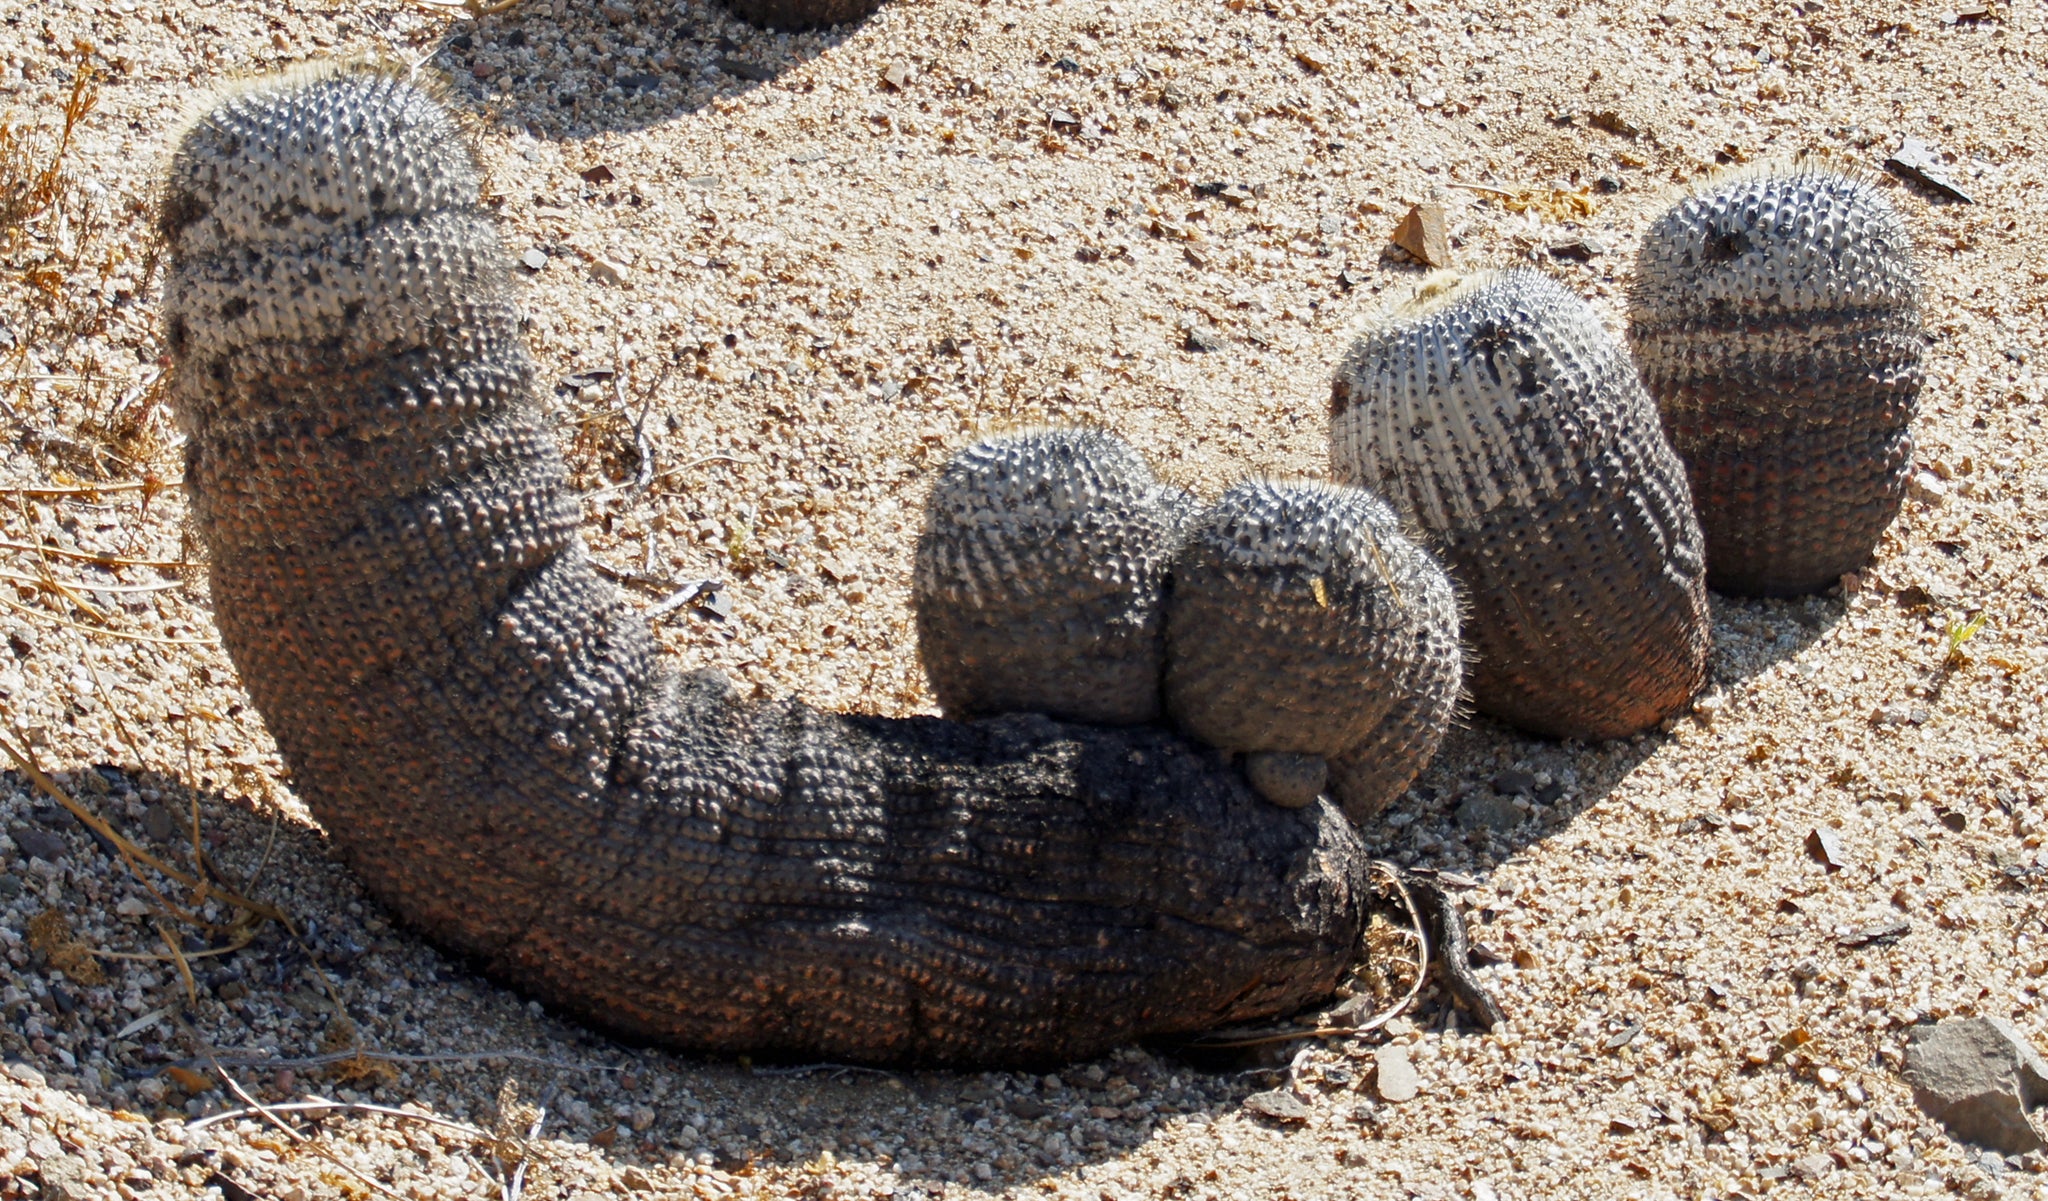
1306, 624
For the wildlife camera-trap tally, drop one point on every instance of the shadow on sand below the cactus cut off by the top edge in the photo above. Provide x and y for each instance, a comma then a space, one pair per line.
577, 71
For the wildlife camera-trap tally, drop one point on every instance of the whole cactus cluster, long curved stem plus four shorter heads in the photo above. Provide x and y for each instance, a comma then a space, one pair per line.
486, 727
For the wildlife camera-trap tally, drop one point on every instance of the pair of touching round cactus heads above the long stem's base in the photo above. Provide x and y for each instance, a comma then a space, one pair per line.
1291, 624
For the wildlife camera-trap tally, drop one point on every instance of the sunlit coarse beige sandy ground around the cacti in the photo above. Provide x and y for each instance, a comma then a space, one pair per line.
808, 267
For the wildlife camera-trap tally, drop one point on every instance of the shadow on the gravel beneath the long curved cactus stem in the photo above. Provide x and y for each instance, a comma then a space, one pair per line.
282, 1009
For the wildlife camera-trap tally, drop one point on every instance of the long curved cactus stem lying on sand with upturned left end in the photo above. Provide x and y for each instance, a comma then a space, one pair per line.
488, 735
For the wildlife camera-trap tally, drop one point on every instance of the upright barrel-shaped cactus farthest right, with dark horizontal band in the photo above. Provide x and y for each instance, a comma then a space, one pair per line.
1777, 321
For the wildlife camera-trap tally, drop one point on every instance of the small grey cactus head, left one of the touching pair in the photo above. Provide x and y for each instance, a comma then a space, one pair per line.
1041, 579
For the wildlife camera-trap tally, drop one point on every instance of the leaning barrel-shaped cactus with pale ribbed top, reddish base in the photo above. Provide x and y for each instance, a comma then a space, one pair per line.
1510, 427
